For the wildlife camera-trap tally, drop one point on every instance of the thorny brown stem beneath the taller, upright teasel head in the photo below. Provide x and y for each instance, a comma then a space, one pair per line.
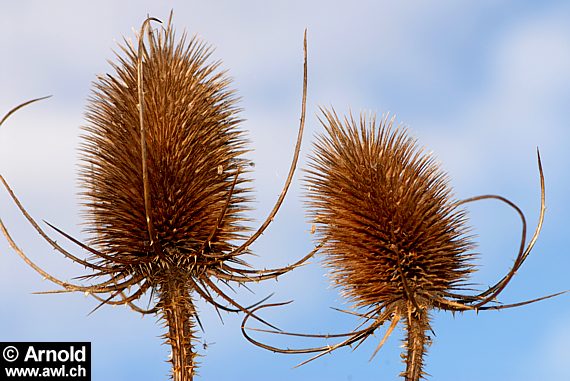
178, 312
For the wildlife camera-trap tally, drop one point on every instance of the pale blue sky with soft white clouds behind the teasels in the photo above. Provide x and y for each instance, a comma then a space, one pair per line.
481, 84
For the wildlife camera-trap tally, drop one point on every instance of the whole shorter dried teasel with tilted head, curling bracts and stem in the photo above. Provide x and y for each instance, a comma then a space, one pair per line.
394, 240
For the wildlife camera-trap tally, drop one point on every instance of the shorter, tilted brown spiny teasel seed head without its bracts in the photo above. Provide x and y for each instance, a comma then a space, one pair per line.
386, 213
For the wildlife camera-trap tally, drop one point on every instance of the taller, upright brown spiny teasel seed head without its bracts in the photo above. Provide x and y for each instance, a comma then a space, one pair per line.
194, 147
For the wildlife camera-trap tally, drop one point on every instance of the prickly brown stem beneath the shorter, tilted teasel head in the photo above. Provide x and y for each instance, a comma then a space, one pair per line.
417, 325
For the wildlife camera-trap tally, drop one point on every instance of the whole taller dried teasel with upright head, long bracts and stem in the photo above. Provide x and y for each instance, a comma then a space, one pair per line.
163, 177
